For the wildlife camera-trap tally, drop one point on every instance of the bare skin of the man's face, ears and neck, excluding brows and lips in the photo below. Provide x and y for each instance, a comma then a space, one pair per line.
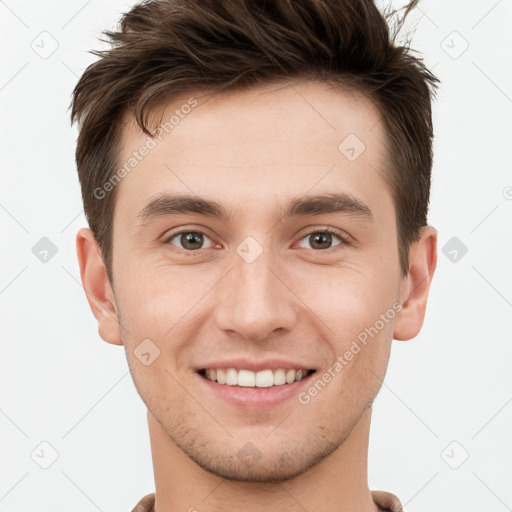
253, 151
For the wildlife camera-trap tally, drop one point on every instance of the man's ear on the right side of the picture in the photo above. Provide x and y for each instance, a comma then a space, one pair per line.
415, 286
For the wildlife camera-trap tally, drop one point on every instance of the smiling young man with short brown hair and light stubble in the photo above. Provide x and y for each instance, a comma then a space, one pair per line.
256, 178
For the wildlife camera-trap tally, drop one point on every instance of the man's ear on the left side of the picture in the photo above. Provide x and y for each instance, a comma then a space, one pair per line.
97, 286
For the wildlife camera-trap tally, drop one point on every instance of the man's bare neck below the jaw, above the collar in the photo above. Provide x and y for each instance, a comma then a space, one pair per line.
336, 484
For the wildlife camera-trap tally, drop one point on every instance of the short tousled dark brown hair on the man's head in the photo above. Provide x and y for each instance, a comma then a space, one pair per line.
167, 47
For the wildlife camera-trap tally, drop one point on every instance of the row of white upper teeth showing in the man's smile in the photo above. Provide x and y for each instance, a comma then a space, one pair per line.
248, 378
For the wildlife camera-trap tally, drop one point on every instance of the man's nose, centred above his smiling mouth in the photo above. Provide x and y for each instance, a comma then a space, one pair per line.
255, 299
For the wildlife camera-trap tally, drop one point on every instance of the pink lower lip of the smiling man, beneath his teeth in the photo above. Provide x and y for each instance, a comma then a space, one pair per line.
254, 398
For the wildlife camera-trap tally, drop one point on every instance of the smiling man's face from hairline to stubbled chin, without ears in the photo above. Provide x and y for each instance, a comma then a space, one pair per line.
295, 258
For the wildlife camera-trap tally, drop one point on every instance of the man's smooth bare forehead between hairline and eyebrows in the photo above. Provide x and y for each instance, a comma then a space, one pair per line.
258, 146
